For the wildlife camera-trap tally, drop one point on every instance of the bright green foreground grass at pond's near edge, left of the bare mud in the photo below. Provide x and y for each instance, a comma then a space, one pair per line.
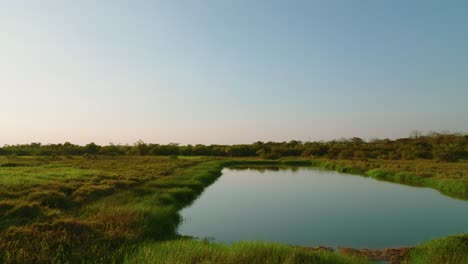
191, 251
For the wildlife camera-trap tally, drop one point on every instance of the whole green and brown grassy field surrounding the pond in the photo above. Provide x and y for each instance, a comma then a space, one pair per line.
124, 209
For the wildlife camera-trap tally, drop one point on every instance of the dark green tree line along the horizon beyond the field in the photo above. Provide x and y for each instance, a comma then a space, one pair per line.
441, 146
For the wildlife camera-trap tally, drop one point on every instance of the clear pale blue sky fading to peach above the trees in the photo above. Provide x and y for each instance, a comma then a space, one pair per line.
232, 71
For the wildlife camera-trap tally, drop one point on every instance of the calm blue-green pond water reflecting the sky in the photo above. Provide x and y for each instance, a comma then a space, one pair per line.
313, 207
